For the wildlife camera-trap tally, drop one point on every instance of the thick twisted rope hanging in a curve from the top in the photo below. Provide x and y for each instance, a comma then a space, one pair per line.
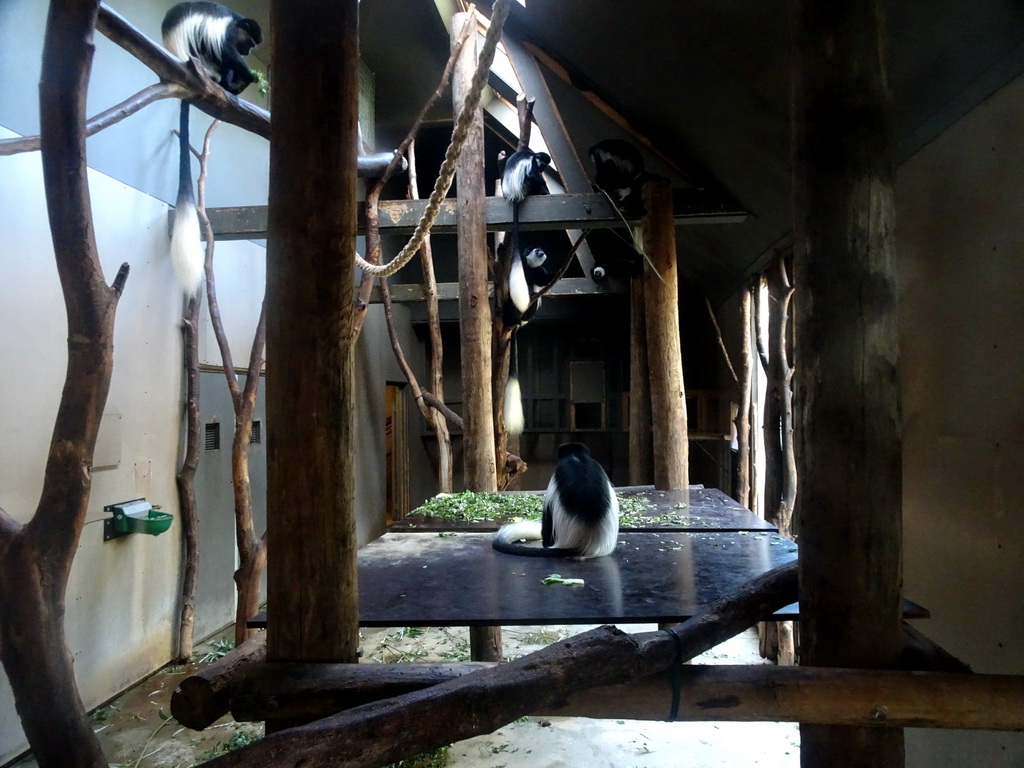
462, 126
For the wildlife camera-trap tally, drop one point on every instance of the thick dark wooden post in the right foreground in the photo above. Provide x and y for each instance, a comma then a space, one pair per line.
847, 364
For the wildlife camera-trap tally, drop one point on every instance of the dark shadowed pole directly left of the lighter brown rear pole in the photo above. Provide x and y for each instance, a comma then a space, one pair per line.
642, 448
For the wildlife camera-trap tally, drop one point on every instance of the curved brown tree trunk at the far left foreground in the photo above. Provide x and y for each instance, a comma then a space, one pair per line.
36, 559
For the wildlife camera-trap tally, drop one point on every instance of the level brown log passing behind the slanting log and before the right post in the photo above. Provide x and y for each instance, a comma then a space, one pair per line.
718, 693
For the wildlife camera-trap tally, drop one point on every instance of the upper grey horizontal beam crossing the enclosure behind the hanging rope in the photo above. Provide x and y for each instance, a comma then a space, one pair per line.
587, 211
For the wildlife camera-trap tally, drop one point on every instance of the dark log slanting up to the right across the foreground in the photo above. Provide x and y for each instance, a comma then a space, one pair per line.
395, 729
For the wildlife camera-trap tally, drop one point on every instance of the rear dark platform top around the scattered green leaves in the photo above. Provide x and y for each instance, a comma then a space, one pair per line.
694, 509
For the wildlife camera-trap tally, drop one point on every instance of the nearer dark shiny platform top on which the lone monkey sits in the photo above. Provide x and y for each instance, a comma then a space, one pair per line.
444, 580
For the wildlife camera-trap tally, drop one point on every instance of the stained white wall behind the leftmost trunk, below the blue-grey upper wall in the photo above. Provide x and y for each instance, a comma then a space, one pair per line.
122, 594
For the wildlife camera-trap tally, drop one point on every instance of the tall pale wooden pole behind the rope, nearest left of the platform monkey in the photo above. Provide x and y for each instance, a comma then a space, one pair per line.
480, 468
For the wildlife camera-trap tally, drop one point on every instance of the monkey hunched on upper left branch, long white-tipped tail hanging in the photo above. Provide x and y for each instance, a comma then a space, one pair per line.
219, 38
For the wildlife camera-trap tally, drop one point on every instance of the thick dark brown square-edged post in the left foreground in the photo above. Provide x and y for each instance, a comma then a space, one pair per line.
313, 605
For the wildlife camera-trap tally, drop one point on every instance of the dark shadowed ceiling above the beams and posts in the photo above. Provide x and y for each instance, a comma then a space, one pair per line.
707, 82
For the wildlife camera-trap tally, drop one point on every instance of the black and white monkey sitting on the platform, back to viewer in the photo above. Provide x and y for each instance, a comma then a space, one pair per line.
581, 513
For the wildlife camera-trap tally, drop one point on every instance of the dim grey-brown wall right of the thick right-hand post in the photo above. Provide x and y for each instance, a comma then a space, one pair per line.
961, 249
